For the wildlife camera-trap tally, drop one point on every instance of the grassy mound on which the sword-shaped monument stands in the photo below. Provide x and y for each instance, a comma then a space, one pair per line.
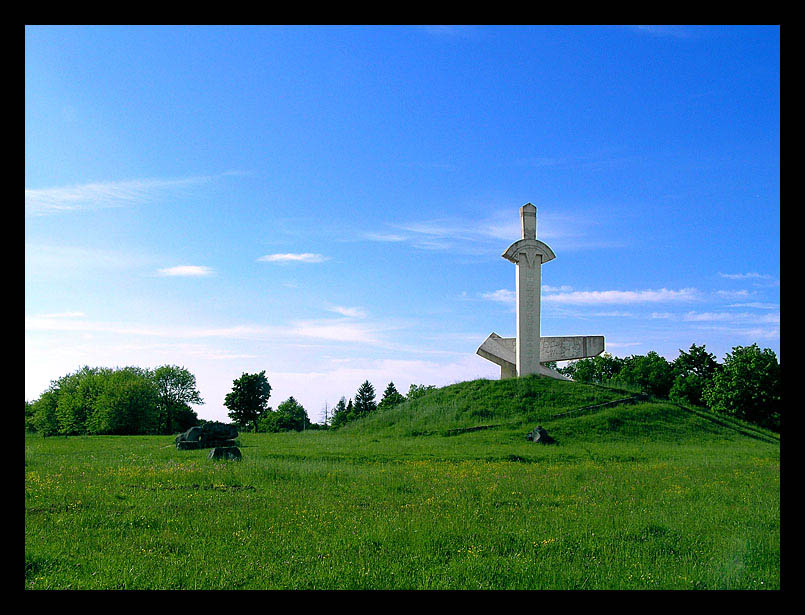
569, 410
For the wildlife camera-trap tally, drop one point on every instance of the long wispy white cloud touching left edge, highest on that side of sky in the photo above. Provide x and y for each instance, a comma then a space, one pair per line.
96, 195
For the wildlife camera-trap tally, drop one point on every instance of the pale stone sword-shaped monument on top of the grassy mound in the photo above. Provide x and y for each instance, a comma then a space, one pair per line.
523, 355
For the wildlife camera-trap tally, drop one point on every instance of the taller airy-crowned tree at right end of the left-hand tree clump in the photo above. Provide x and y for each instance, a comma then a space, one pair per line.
176, 388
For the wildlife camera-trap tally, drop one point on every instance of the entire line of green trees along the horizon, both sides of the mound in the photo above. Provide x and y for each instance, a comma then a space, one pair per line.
133, 400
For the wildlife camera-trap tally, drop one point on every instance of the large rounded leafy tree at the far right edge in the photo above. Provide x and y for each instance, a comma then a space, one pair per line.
748, 386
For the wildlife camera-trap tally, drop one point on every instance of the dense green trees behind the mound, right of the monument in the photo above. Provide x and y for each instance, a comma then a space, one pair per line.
747, 385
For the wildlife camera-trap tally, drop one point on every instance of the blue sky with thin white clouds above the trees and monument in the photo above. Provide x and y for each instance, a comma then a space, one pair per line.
330, 204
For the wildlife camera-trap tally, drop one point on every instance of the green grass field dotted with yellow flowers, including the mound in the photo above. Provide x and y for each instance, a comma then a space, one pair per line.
641, 496
